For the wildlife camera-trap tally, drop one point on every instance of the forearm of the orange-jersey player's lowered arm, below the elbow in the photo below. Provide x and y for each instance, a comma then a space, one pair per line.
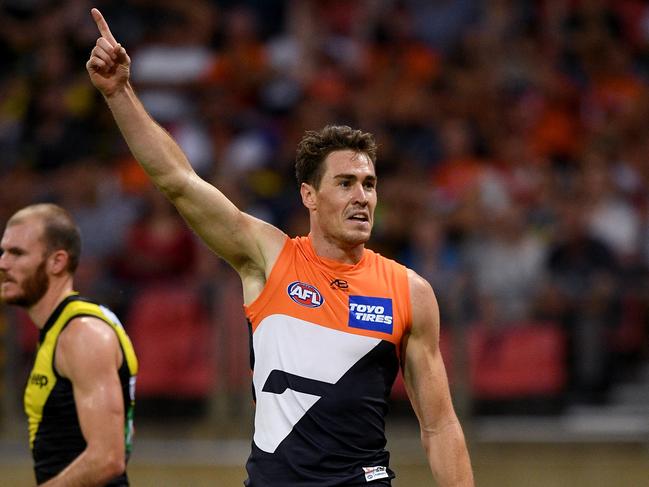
448, 456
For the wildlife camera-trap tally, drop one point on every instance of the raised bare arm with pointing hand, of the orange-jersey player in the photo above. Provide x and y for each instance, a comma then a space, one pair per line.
247, 243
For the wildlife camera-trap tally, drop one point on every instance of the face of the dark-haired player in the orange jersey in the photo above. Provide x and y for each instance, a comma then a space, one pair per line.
346, 199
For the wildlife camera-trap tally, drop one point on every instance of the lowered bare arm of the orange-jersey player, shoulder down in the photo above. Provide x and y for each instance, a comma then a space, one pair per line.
427, 386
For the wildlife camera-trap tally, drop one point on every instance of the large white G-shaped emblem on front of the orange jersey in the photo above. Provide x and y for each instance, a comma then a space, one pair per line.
304, 349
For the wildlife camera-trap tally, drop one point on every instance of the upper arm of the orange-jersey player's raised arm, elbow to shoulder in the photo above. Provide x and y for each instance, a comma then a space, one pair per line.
237, 237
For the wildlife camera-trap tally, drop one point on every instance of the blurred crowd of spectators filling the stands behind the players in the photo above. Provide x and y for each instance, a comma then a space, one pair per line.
513, 146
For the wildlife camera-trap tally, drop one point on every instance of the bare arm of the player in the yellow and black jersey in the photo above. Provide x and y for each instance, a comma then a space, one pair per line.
88, 354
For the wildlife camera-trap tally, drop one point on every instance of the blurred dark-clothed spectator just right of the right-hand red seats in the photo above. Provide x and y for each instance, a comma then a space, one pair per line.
583, 274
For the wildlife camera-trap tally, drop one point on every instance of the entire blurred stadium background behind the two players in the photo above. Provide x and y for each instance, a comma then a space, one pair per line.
514, 169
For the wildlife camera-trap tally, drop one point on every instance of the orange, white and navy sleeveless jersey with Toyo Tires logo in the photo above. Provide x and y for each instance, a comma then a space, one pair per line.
325, 348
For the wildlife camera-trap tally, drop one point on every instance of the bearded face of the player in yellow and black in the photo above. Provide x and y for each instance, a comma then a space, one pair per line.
23, 278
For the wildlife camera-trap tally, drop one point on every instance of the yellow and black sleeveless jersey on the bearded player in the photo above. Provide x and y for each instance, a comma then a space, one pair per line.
55, 436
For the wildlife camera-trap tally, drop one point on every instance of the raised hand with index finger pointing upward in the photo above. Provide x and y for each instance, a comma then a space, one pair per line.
109, 65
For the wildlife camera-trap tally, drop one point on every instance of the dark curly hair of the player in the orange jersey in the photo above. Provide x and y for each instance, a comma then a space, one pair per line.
315, 146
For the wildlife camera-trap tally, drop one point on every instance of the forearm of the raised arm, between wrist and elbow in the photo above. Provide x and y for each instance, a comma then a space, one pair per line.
150, 144
